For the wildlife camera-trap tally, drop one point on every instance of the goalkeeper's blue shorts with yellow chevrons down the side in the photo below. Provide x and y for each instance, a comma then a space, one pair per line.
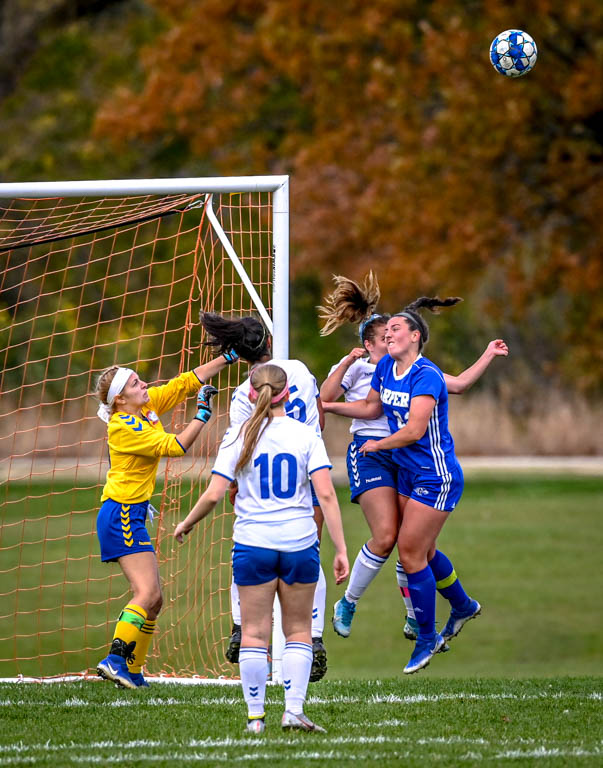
121, 529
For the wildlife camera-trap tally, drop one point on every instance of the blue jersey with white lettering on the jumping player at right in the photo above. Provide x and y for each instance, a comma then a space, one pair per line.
434, 452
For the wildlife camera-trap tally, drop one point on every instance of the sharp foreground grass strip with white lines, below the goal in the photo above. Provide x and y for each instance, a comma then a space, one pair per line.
417, 721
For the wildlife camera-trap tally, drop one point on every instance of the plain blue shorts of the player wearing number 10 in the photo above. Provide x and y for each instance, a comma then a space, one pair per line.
256, 565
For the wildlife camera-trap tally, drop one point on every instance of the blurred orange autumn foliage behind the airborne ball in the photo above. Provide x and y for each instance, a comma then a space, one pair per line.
408, 152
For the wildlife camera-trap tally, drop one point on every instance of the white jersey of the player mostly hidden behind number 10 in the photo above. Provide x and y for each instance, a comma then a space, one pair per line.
301, 404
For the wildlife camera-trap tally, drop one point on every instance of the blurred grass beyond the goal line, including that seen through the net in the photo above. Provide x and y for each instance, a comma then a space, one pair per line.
527, 547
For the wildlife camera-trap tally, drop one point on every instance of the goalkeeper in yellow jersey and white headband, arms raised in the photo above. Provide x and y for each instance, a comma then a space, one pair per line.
137, 441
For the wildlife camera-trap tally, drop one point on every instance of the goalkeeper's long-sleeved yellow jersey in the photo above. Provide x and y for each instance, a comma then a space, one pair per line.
136, 444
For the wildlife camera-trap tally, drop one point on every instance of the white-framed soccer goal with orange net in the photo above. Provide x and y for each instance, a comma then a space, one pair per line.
93, 274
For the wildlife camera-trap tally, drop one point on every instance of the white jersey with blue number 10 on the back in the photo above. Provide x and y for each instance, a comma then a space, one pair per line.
273, 506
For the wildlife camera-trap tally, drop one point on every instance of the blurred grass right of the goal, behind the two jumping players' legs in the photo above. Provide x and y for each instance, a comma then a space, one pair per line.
528, 548
